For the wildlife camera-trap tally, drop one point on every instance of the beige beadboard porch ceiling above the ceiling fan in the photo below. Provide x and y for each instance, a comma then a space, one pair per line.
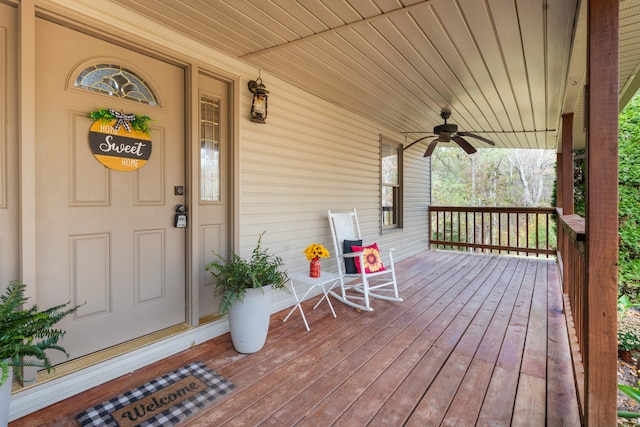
507, 69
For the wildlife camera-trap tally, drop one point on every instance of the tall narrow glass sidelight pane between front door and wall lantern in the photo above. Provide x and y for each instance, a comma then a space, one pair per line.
209, 149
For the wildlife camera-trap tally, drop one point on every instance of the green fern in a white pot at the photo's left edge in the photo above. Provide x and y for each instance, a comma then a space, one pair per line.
25, 336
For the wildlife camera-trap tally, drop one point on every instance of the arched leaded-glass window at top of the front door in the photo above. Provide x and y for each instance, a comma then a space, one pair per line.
115, 80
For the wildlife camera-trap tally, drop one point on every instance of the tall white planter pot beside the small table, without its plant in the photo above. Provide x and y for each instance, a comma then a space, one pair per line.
249, 320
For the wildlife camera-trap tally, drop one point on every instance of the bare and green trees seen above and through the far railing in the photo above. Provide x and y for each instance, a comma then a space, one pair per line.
495, 178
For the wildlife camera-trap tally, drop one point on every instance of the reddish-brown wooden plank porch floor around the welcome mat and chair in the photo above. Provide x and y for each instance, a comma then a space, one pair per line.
478, 340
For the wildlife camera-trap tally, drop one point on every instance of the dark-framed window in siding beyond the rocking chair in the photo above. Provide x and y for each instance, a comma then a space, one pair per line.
391, 184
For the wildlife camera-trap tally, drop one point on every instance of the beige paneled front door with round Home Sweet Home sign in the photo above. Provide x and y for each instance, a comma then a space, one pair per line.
106, 238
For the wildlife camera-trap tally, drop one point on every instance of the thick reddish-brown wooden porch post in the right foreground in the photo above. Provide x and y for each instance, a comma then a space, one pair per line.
601, 227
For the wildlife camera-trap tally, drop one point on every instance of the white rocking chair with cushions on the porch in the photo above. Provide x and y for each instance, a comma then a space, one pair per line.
356, 289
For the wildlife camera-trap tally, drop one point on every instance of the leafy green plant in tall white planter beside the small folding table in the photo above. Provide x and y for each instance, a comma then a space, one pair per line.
245, 285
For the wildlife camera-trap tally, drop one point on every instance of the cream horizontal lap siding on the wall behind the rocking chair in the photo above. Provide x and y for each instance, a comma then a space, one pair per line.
312, 156
